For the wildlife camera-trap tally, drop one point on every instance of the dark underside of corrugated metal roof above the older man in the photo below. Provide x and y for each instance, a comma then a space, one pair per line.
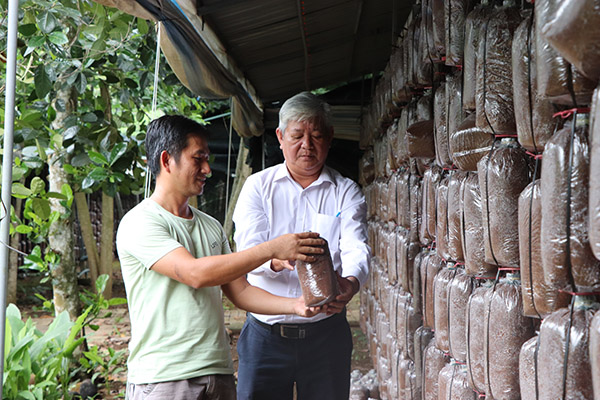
284, 47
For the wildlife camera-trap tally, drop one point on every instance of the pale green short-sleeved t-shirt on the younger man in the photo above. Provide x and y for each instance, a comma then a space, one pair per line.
177, 332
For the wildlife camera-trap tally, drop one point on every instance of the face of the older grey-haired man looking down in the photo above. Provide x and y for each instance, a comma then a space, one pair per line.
305, 146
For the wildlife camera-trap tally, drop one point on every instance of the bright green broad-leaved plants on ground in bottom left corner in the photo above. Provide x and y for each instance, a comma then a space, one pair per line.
43, 365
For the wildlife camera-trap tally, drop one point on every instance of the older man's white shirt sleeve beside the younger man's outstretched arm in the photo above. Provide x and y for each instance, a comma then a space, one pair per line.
252, 225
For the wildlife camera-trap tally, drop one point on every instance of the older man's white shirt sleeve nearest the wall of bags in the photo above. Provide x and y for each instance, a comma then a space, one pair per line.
355, 253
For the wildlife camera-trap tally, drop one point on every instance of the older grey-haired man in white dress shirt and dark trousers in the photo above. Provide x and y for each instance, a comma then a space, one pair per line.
278, 351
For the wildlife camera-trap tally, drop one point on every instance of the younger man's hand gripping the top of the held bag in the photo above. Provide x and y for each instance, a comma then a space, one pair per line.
297, 246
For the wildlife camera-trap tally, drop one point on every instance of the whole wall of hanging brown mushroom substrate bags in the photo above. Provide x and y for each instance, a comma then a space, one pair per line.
481, 172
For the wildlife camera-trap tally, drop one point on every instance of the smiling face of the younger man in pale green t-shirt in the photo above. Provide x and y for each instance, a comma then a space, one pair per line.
193, 168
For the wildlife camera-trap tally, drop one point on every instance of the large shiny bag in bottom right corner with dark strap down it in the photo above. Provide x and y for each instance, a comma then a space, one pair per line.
557, 335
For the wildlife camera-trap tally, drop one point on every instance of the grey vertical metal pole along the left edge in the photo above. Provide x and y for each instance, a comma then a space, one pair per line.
9, 127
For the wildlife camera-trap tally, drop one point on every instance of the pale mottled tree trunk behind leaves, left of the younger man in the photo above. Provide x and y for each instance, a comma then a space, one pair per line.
60, 237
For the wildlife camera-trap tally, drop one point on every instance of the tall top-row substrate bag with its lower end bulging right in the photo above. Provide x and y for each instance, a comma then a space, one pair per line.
533, 113
